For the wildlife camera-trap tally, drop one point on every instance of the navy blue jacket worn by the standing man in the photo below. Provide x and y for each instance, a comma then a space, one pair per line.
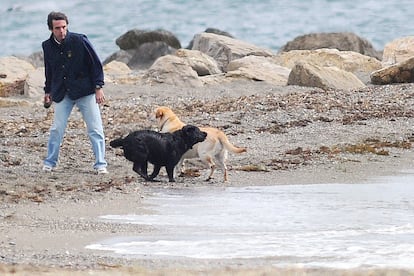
71, 68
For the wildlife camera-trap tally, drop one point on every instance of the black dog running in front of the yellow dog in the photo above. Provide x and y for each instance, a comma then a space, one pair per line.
160, 149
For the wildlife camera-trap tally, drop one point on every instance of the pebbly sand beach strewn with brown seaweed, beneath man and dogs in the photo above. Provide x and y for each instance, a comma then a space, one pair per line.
293, 135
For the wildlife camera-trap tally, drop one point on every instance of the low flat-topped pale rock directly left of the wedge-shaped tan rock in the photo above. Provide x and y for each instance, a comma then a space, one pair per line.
258, 68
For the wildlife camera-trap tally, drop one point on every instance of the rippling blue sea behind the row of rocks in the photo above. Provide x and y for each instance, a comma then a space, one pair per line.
265, 23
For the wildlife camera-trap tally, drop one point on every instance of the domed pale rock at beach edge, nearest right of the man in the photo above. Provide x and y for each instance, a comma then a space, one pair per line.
172, 70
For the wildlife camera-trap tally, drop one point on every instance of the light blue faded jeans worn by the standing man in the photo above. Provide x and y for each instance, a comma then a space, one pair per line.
91, 115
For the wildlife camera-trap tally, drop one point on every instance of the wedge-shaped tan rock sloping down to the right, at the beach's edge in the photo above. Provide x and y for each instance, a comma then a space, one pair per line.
311, 75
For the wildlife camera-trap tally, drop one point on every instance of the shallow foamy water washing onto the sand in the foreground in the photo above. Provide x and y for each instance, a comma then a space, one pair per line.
324, 225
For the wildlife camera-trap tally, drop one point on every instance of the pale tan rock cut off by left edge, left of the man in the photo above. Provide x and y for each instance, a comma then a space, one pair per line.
13, 73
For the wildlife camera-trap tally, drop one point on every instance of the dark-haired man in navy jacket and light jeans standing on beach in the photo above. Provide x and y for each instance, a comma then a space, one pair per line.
74, 76
